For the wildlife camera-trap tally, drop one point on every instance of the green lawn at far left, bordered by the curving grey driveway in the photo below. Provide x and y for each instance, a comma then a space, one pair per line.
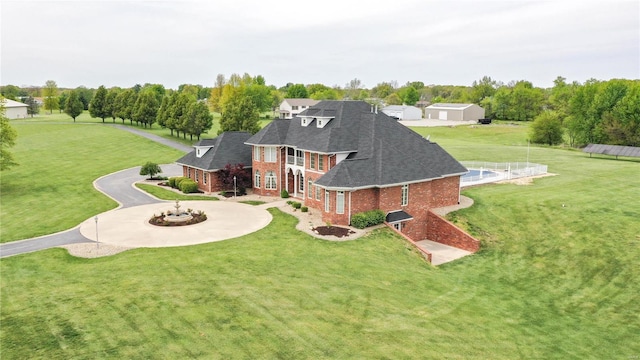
51, 190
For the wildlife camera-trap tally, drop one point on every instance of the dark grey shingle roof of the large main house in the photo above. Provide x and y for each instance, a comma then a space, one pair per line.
382, 152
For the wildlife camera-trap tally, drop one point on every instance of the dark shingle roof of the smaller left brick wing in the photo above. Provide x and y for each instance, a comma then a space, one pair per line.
227, 148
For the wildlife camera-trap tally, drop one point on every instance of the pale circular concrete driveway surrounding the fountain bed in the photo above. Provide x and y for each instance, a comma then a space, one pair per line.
129, 227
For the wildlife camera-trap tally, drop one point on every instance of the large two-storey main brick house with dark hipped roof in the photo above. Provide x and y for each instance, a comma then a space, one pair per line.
345, 157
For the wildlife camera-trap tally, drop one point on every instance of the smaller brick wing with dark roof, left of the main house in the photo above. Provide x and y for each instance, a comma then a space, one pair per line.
209, 156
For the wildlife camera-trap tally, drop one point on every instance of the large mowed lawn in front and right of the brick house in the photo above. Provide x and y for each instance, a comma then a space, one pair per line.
550, 282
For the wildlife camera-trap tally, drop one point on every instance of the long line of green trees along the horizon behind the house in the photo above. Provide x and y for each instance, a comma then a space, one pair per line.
594, 111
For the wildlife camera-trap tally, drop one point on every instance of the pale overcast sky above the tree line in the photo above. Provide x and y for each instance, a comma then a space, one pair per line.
123, 43
